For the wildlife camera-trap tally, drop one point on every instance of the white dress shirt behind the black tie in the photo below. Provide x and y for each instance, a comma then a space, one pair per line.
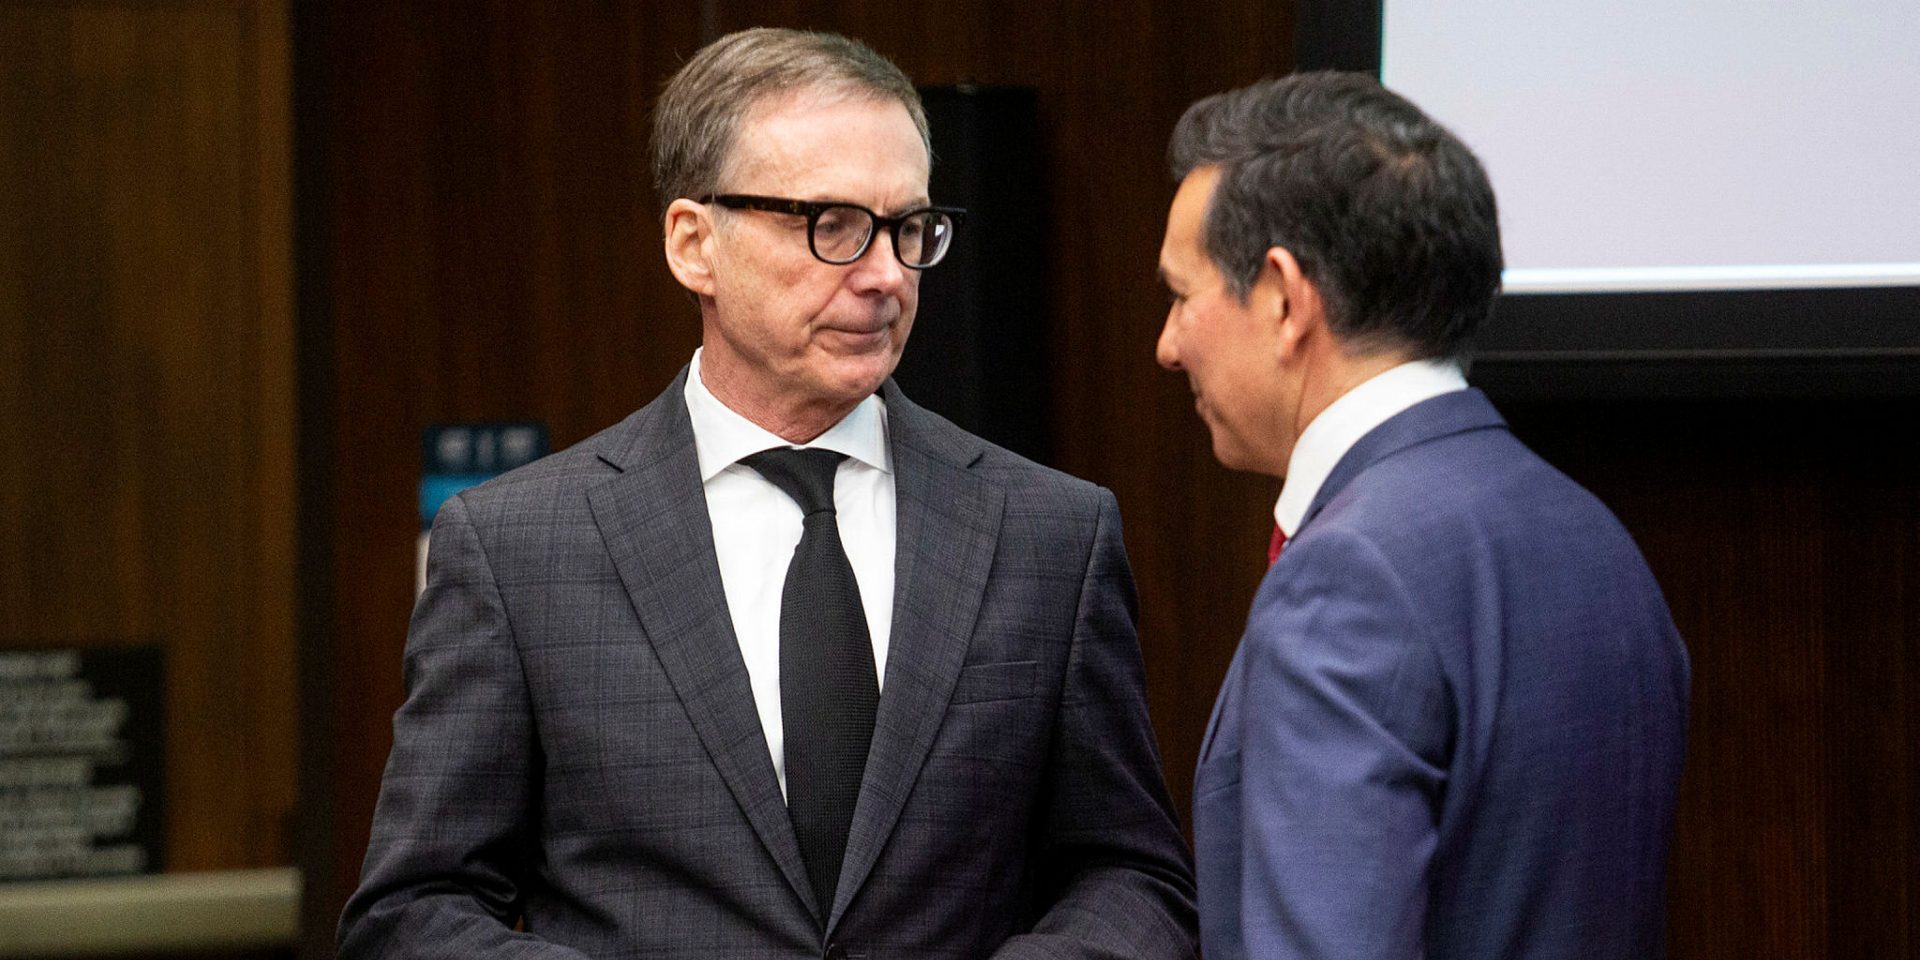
757, 527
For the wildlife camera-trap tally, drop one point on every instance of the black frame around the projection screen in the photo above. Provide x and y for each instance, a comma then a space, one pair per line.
1639, 345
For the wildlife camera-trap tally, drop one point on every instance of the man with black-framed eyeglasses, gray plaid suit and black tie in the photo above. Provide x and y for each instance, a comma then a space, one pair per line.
782, 665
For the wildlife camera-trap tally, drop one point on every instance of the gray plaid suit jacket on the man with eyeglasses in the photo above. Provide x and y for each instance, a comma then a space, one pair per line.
581, 750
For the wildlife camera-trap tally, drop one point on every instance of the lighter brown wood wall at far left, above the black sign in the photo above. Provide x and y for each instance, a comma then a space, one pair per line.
147, 381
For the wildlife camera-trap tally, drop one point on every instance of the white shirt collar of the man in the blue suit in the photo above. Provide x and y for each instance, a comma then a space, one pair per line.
1349, 420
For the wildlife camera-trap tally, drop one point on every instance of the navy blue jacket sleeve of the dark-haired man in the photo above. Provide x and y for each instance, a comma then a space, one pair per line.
1343, 759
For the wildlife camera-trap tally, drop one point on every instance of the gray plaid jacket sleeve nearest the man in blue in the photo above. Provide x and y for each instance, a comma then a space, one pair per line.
1109, 848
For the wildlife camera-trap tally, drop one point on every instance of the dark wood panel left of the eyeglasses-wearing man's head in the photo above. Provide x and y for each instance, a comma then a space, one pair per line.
489, 239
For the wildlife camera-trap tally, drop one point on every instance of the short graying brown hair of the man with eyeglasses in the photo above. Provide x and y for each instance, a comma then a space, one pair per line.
702, 107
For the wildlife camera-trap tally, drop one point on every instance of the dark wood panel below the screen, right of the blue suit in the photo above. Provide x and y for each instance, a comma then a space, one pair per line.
1787, 539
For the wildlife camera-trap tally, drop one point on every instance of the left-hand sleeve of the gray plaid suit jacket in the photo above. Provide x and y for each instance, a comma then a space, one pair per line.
452, 834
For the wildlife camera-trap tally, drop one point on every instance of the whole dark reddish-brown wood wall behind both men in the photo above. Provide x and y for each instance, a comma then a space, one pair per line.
491, 252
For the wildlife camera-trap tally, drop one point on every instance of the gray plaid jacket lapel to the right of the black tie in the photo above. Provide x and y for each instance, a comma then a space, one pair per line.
948, 525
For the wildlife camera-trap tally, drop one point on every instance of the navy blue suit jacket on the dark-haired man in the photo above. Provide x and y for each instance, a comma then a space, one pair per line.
1454, 725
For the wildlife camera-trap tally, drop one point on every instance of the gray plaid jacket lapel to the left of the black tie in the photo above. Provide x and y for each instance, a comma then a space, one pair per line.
654, 521
